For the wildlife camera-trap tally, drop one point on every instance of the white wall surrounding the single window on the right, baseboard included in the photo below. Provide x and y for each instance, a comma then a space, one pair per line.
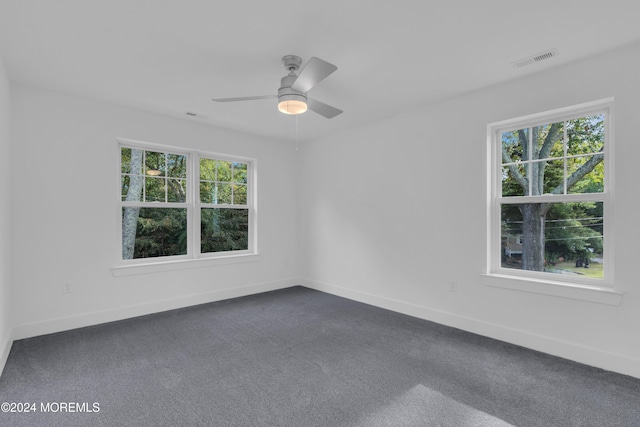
391, 213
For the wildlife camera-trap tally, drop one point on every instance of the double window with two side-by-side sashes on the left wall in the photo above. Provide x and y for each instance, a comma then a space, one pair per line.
179, 204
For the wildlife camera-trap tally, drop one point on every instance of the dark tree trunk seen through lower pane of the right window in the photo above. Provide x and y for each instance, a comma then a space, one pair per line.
533, 218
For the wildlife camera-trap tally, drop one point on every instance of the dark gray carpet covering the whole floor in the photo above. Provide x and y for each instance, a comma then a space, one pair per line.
298, 357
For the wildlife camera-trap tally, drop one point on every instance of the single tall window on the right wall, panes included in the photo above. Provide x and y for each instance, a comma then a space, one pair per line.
550, 196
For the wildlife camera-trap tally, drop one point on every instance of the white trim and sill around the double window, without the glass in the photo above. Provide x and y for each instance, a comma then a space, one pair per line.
193, 258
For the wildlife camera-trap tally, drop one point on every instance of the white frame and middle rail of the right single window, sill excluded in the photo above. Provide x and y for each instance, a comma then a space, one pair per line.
534, 280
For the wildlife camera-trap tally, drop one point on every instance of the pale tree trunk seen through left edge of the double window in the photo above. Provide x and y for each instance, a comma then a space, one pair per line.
130, 214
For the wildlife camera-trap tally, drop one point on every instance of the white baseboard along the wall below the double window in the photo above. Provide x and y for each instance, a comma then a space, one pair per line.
89, 319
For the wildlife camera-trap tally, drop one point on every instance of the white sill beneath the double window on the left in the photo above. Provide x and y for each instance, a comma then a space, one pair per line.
183, 264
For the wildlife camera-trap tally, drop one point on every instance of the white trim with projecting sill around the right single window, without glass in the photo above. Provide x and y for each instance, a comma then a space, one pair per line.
593, 290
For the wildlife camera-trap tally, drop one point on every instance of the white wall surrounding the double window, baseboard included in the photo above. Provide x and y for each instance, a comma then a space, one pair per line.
65, 214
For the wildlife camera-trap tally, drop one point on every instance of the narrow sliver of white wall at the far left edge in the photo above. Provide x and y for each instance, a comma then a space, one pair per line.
5, 225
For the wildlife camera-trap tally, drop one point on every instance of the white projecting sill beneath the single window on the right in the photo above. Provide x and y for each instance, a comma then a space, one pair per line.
596, 294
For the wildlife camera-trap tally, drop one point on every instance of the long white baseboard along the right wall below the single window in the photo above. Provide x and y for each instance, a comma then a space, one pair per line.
561, 348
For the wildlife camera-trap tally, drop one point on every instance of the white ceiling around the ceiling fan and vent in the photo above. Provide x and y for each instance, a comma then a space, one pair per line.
173, 56
